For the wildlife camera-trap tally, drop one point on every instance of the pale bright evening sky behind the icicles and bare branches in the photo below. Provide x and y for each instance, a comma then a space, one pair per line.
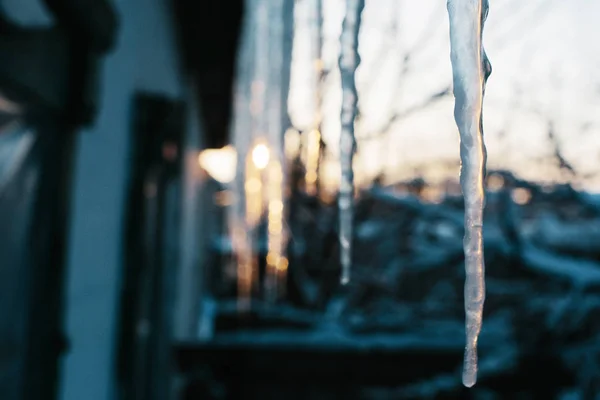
546, 76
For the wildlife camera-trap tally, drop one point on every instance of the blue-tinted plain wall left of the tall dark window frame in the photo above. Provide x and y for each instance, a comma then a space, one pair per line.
145, 59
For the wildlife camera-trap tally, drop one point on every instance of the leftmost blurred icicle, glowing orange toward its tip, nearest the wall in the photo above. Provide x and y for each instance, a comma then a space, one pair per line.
250, 127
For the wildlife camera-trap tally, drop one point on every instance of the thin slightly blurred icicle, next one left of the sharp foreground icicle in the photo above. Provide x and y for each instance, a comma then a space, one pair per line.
349, 61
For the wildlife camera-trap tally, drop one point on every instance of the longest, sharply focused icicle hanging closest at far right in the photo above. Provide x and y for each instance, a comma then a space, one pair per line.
471, 69
